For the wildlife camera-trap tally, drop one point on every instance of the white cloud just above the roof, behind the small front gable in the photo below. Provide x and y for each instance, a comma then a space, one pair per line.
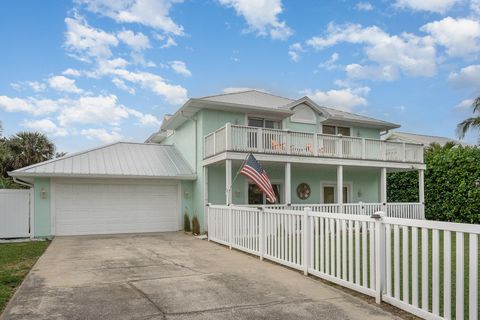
343, 99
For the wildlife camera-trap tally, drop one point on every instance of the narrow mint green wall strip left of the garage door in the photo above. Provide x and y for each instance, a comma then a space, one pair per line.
42, 219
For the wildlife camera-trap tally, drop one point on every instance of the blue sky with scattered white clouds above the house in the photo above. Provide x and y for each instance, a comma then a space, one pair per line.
90, 72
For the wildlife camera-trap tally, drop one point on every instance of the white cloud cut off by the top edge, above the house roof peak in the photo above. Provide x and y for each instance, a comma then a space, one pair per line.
261, 17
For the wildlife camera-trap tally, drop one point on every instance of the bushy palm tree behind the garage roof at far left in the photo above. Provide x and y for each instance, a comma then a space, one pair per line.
28, 148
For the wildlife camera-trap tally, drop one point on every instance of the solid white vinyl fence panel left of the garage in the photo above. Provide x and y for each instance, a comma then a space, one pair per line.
15, 209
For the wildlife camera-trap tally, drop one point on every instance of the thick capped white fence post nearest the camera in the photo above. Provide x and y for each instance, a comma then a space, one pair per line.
379, 255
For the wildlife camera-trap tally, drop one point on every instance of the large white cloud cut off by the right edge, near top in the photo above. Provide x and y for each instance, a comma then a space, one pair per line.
460, 37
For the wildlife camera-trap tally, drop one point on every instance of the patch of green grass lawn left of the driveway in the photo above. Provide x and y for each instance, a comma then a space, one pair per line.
16, 259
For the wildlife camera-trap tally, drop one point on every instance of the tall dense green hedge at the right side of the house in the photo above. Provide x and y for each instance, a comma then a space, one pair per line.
451, 193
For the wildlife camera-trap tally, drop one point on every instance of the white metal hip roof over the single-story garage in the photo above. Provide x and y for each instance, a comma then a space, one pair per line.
118, 160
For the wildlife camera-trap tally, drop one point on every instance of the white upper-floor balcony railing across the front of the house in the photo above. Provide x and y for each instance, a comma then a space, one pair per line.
284, 142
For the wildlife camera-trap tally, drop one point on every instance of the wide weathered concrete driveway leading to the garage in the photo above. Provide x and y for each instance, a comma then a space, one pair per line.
172, 276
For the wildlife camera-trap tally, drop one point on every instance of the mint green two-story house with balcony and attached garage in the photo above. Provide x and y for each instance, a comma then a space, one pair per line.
312, 154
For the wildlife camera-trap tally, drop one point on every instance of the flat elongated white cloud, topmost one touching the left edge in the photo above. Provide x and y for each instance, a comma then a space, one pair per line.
28, 105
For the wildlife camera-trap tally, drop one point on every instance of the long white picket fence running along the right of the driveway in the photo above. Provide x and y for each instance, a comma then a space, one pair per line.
398, 261
